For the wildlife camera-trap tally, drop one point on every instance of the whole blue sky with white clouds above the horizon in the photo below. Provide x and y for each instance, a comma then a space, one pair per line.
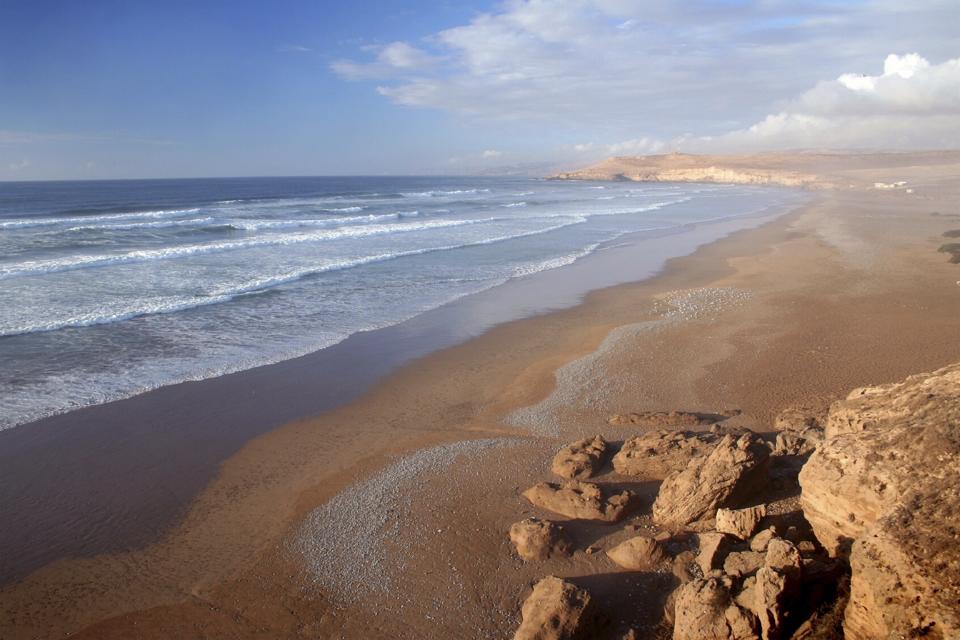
93, 89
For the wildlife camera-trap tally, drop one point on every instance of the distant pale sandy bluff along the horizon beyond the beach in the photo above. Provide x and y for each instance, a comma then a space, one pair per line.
807, 170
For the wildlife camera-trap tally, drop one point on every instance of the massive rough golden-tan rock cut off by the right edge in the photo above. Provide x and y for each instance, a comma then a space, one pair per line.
885, 487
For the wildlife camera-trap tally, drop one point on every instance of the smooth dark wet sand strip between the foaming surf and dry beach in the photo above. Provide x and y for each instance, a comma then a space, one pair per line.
183, 432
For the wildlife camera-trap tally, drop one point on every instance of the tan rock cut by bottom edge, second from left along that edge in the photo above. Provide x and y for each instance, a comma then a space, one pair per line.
704, 610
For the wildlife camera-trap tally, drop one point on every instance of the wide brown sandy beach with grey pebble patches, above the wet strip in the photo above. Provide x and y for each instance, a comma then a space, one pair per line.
386, 517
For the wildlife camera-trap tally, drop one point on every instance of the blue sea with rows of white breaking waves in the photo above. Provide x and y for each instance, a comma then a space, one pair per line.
109, 289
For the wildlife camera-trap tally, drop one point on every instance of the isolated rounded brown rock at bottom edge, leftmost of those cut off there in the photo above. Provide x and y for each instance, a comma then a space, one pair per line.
556, 610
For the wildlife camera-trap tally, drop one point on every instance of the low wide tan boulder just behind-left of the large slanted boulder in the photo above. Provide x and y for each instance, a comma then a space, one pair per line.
656, 454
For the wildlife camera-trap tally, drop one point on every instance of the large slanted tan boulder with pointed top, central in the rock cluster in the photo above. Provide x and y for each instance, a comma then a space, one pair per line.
733, 469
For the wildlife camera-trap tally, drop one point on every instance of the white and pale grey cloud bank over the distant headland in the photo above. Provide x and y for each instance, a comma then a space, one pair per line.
651, 75
